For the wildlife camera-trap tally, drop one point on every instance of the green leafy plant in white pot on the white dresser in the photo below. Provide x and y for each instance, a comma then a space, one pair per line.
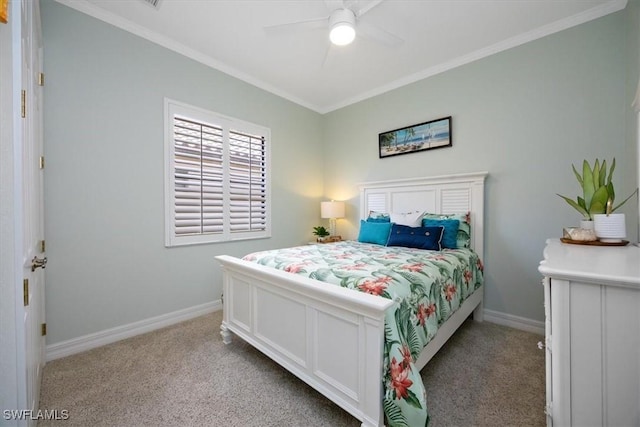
598, 195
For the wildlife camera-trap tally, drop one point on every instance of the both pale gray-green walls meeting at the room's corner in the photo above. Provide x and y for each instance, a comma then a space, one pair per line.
524, 115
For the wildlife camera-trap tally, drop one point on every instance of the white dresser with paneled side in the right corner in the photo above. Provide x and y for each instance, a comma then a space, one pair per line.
592, 339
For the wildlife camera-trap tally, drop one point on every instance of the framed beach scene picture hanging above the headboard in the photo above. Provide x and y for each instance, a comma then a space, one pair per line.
420, 137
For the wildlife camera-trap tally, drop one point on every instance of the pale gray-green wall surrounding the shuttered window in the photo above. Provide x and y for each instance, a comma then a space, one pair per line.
104, 175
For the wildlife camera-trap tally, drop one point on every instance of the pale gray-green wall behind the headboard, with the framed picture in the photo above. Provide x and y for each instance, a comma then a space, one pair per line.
524, 115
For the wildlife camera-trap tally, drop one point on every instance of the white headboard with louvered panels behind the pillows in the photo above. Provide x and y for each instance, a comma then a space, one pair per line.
438, 194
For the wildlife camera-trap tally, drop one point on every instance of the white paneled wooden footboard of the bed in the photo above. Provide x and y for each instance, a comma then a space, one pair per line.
330, 337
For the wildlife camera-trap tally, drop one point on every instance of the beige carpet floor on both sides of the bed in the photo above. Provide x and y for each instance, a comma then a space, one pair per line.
183, 375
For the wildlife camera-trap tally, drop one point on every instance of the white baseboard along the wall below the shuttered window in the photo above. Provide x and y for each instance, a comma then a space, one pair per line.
87, 342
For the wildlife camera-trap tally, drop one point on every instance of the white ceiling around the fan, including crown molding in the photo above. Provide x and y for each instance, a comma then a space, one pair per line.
300, 65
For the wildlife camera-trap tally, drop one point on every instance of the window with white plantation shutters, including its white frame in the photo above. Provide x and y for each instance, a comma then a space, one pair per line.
216, 175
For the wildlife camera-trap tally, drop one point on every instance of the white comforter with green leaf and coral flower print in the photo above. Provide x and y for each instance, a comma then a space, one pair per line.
428, 286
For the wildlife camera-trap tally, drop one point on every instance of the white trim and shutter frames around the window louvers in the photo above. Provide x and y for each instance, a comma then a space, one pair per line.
171, 108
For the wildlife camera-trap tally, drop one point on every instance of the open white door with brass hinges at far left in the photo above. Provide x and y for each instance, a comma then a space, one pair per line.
32, 201
